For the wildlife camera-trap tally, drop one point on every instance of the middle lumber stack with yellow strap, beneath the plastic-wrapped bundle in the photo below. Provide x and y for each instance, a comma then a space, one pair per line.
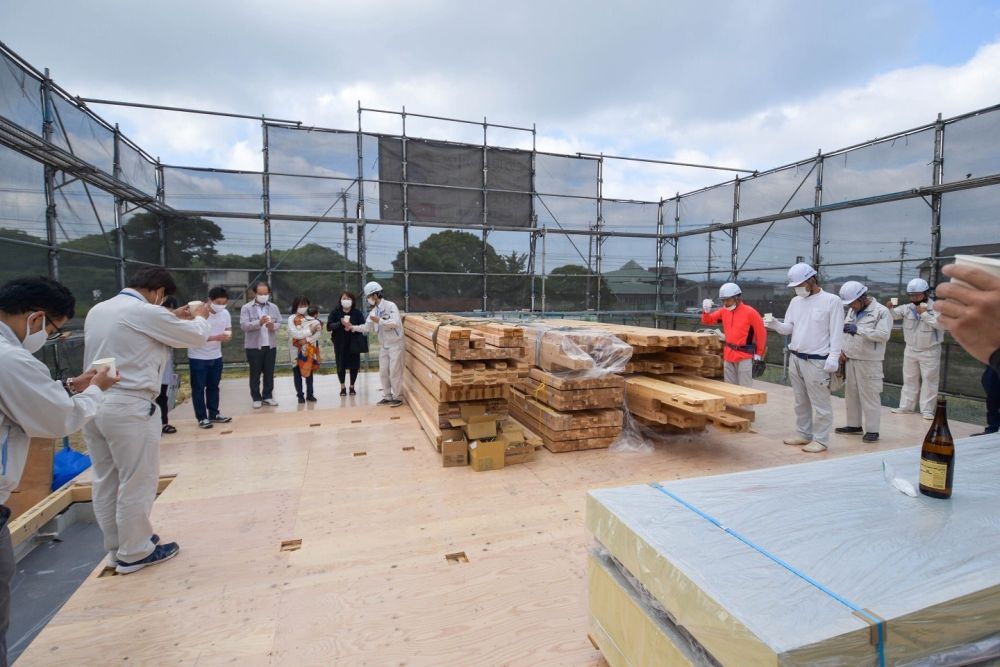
570, 411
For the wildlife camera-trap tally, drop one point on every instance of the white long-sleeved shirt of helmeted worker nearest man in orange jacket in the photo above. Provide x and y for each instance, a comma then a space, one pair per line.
816, 323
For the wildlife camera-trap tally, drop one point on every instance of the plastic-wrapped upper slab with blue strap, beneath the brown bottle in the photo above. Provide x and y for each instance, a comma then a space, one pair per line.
796, 565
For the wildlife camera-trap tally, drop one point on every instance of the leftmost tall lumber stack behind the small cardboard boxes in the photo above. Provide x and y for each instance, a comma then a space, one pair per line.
449, 365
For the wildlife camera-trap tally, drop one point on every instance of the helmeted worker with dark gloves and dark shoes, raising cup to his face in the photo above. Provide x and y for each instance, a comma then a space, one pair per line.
867, 328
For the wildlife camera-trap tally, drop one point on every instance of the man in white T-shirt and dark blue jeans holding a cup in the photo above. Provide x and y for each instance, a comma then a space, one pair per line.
205, 362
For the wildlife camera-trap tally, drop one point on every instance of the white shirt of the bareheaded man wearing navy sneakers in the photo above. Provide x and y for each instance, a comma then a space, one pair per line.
138, 335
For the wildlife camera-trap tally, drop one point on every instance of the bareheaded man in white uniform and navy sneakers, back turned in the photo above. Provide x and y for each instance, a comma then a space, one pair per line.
123, 440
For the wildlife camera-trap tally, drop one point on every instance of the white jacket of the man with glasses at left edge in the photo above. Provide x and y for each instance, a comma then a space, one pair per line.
33, 405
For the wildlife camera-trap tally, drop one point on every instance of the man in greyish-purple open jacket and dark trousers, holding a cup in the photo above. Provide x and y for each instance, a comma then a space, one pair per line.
260, 320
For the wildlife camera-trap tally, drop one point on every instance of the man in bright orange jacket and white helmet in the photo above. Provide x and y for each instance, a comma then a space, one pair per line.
746, 338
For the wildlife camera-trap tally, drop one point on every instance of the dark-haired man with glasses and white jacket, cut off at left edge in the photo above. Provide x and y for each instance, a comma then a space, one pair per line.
32, 404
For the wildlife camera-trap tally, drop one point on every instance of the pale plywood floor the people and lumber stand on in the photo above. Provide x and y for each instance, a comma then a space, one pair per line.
370, 584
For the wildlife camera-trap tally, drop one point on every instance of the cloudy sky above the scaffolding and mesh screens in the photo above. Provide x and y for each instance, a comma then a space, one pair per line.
744, 84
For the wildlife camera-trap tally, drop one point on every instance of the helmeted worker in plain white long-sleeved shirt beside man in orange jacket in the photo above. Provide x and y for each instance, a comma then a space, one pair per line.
815, 321
